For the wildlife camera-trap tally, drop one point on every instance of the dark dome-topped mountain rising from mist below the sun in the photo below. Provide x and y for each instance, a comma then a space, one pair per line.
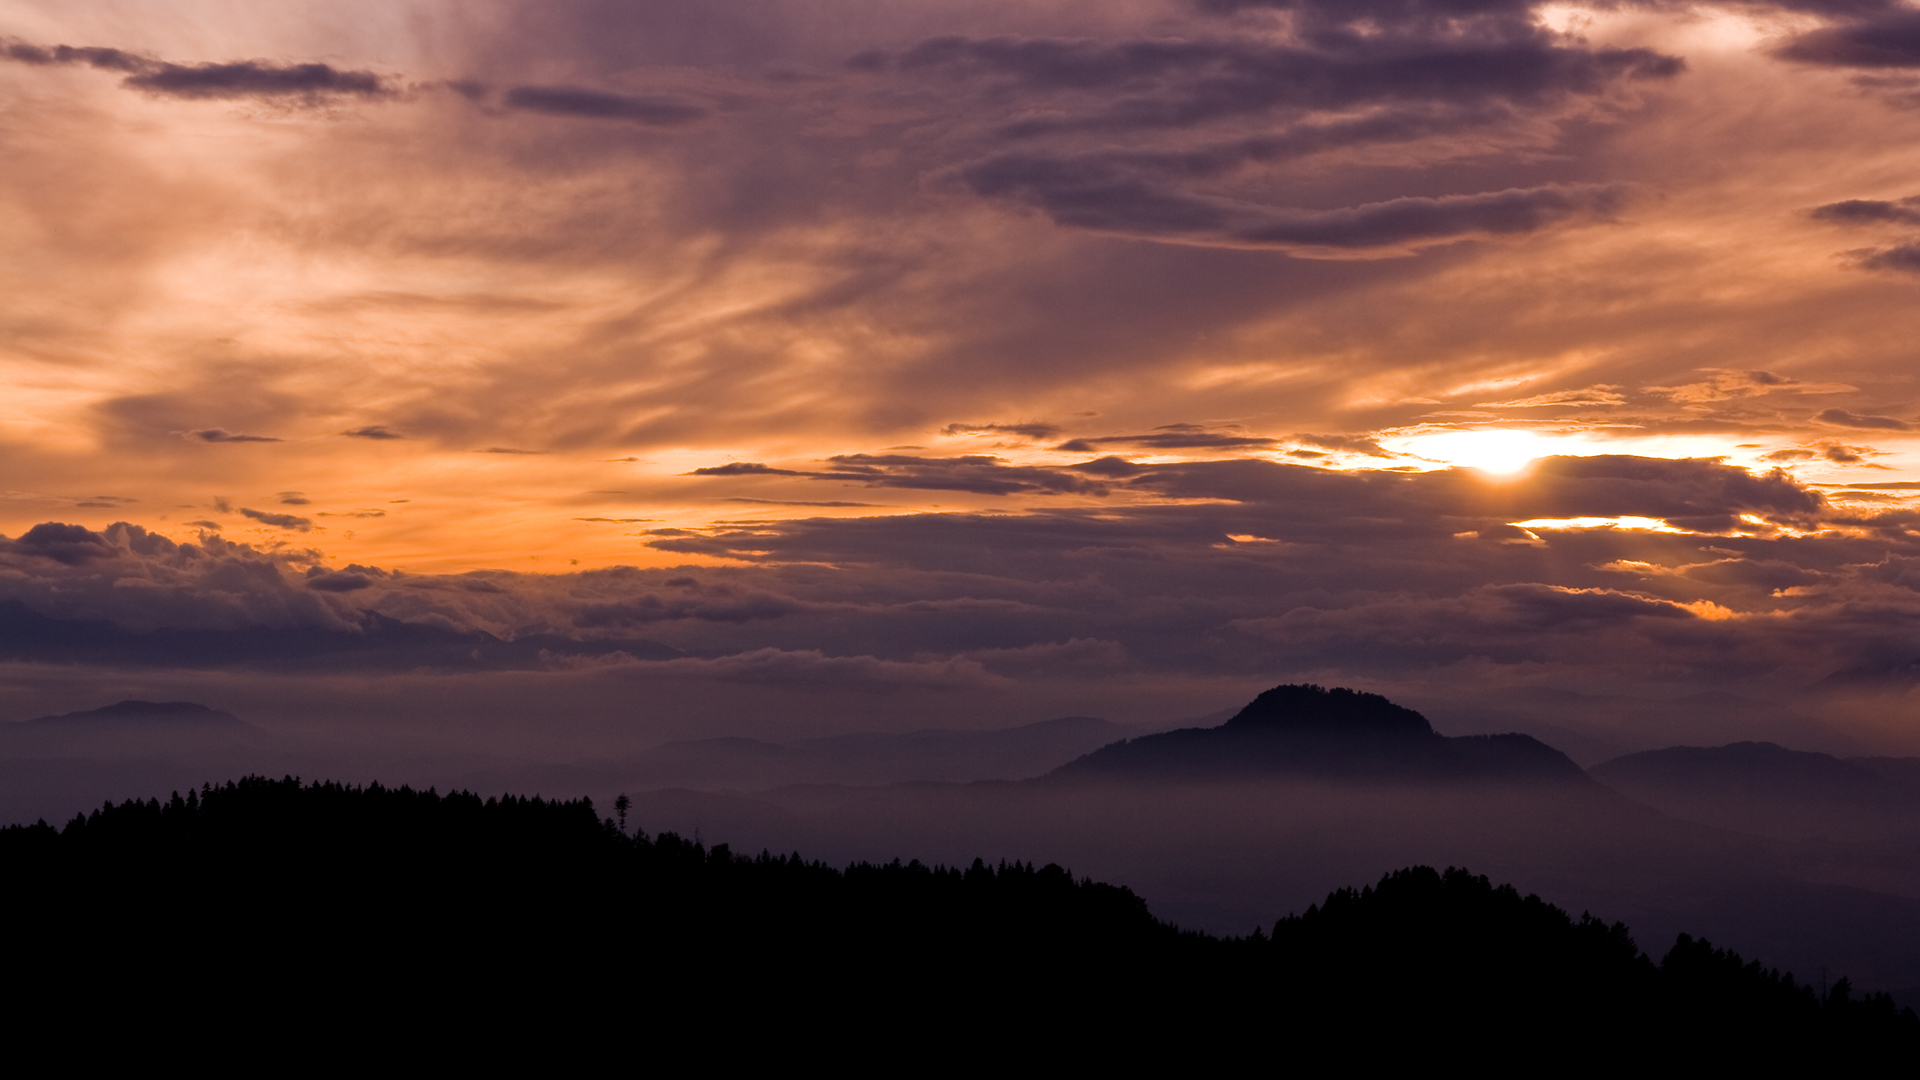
1310, 731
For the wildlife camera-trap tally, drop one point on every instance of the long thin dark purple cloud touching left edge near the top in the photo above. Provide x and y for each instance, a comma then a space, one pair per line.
220, 82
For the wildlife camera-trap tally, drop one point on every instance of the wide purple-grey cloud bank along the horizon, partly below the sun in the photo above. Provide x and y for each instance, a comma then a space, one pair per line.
1356, 572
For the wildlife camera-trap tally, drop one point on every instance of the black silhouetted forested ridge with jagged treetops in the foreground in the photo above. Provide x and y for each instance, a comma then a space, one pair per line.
322, 910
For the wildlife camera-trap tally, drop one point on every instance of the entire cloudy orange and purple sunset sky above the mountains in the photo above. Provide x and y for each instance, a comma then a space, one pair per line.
585, 372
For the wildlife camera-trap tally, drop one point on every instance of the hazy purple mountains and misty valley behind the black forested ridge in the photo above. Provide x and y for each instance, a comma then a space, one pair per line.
1800, 858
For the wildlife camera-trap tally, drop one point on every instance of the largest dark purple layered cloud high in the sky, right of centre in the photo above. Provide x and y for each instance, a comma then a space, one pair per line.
1163, 137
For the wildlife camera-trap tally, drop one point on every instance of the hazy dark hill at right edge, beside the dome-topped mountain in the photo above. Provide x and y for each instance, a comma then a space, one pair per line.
1771, 791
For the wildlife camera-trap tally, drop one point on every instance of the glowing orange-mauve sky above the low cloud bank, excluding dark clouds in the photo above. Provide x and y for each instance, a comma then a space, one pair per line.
627, 303
